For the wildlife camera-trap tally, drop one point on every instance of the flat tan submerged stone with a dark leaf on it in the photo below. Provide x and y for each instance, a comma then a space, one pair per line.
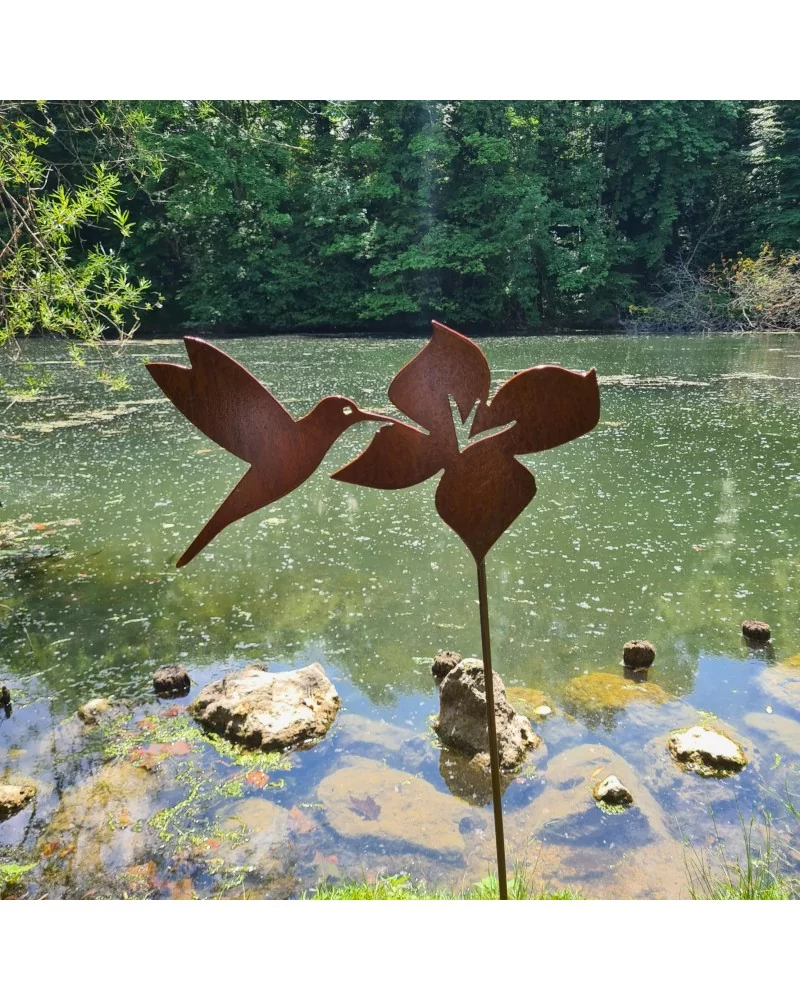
365, 799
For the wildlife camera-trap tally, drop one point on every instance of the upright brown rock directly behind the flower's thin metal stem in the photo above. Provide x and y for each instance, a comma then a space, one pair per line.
461, 723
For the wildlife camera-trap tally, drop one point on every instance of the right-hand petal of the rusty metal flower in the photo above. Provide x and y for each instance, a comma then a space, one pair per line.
549, 406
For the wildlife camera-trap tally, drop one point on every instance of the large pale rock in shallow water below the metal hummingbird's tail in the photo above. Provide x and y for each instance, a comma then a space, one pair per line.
269, 711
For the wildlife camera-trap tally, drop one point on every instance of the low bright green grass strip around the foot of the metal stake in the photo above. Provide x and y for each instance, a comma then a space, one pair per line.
403, 887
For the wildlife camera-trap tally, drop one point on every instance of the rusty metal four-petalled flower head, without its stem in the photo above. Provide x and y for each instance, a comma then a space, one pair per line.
484, 488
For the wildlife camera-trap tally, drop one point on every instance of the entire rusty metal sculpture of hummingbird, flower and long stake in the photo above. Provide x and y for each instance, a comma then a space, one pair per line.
482, 491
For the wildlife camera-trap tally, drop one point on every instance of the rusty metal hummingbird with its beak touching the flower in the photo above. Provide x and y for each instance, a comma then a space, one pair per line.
237, 412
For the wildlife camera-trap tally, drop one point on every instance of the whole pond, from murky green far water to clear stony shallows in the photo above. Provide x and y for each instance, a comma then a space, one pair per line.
677, 518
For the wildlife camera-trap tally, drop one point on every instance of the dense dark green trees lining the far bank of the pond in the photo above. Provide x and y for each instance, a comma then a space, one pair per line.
358, 215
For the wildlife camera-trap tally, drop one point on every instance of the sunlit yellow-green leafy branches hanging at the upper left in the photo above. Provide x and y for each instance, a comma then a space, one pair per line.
52, 280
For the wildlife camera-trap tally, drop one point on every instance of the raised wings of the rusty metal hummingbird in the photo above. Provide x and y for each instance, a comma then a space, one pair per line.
223, 400
